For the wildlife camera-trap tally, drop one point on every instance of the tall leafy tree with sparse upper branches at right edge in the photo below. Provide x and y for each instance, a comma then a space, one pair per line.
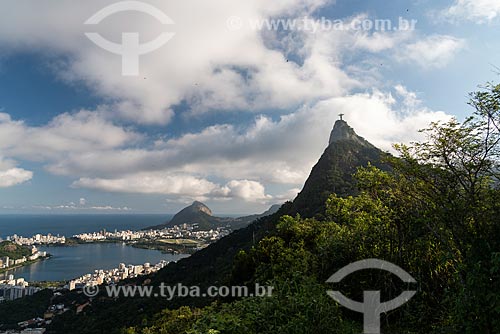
456, 173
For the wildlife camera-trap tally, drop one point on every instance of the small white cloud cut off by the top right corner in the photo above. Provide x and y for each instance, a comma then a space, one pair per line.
479, 11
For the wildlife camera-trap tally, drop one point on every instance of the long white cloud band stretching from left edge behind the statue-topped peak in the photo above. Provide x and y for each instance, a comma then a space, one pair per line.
249, 158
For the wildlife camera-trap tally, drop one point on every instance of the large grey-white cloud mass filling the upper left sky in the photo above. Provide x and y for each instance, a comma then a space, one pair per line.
206, 63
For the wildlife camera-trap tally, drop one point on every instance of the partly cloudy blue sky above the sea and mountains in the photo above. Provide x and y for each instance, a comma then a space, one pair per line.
231, 102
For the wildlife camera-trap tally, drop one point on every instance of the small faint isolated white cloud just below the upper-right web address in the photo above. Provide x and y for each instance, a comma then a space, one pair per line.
435, 51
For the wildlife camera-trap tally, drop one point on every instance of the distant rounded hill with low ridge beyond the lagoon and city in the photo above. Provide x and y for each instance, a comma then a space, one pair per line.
199, 213
